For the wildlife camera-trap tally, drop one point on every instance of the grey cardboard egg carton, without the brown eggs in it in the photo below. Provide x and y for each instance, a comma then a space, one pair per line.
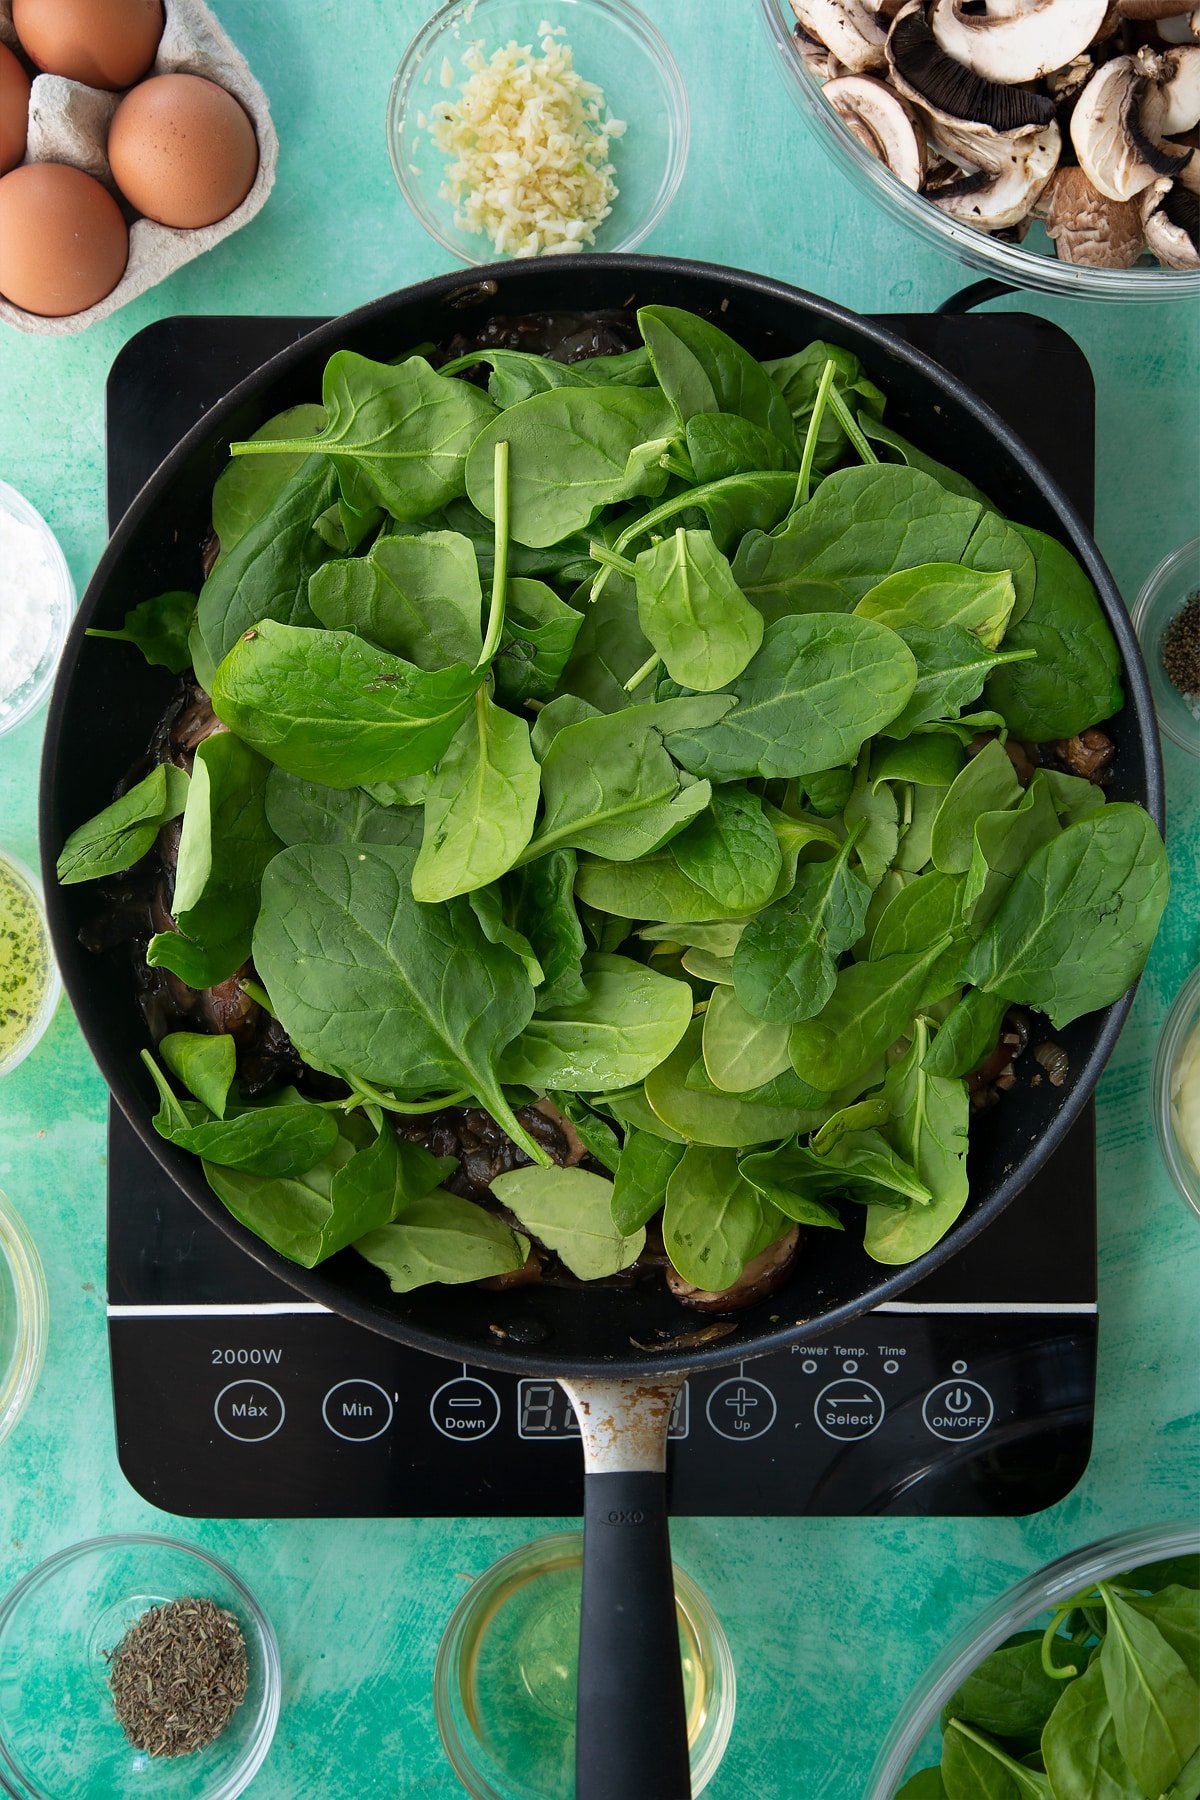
69, 123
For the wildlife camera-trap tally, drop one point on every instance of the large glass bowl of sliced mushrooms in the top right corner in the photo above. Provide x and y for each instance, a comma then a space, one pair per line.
1050, 143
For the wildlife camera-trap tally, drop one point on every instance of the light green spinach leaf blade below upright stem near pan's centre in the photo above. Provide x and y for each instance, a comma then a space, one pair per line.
479, 807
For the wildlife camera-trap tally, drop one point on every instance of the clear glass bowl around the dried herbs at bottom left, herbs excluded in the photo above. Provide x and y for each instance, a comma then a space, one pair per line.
60, 1738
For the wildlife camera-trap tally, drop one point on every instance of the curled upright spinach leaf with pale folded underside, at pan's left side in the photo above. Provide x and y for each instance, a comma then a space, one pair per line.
226, 845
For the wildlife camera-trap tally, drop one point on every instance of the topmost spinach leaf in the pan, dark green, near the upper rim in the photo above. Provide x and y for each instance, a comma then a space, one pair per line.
703, 370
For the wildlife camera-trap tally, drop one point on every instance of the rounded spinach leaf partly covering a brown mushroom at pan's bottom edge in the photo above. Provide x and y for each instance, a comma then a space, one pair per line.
713, 1221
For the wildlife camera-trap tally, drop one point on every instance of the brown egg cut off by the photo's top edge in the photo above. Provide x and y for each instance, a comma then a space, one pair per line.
109, 44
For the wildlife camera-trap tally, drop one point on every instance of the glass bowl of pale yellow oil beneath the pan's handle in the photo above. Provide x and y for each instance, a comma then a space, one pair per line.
505, 1682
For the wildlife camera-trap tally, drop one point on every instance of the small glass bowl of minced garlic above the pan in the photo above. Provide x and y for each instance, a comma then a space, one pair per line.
537, 127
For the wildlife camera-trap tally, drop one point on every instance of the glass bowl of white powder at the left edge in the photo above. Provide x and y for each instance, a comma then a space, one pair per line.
37, 604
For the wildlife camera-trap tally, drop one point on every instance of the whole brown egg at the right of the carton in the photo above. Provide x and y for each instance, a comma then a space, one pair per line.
183, 150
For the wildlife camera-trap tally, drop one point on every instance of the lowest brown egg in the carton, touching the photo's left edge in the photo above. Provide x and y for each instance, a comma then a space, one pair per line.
64, 242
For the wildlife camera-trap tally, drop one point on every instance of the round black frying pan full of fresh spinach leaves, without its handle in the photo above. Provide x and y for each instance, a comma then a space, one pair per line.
654, 762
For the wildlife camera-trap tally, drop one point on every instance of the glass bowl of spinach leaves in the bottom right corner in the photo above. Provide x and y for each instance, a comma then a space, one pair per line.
1080, 1680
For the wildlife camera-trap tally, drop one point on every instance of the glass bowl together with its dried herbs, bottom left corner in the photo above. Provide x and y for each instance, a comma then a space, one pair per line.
134, 1666
